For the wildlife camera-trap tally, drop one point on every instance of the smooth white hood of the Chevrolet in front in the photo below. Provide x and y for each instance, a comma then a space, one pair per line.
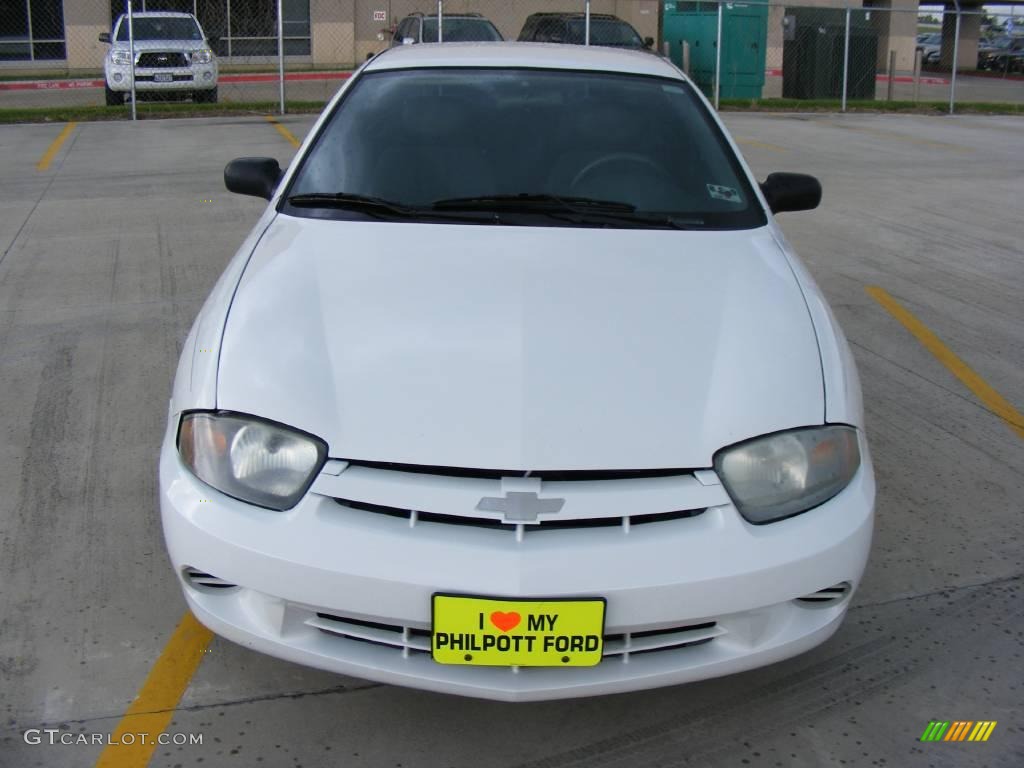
506, 348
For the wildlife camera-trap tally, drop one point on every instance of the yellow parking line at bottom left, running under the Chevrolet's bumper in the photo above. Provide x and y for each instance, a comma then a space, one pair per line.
153, 709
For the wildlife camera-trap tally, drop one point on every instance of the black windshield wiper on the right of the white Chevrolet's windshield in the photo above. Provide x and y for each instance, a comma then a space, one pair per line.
574, 210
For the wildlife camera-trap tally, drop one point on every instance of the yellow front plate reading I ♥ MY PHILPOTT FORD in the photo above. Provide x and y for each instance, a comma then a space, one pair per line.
518, 633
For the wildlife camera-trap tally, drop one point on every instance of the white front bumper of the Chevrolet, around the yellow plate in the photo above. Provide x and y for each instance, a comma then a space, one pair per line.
328, 587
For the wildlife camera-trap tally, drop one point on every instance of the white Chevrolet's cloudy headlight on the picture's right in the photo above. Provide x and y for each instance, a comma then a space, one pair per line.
787, 474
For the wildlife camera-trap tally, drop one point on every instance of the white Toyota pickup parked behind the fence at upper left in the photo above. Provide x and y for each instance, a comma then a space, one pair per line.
173, 58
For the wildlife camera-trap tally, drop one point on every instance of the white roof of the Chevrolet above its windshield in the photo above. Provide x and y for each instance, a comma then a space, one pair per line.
526, 56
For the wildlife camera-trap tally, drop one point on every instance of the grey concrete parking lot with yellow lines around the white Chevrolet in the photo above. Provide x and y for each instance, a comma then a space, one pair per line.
111, 238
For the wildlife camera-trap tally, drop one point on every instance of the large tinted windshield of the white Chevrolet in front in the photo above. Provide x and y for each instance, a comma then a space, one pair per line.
418, 138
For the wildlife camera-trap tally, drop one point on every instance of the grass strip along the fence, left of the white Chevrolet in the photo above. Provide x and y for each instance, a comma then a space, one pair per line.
154, 111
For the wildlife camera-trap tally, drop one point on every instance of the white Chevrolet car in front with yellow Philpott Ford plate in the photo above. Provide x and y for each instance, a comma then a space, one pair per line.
517, 392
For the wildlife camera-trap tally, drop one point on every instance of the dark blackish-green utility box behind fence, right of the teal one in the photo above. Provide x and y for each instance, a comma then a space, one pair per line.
814, 41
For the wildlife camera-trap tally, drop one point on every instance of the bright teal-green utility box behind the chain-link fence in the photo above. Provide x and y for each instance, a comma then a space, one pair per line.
745, 32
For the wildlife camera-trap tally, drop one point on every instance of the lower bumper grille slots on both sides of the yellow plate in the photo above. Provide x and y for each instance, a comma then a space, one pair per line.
412, 641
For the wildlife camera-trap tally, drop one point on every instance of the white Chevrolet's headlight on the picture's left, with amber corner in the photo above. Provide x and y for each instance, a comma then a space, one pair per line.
252, 460
